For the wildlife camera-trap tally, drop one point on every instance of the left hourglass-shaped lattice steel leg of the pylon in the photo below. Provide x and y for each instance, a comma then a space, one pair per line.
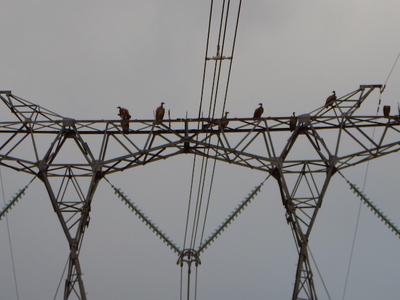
71, 196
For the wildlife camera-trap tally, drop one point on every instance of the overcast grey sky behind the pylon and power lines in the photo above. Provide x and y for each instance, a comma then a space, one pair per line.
83, 58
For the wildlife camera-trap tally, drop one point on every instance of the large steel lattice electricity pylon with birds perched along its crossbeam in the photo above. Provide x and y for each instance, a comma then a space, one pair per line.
301, 152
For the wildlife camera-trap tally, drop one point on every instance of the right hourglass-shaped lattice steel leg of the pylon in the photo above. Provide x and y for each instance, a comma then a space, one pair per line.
302, 187
